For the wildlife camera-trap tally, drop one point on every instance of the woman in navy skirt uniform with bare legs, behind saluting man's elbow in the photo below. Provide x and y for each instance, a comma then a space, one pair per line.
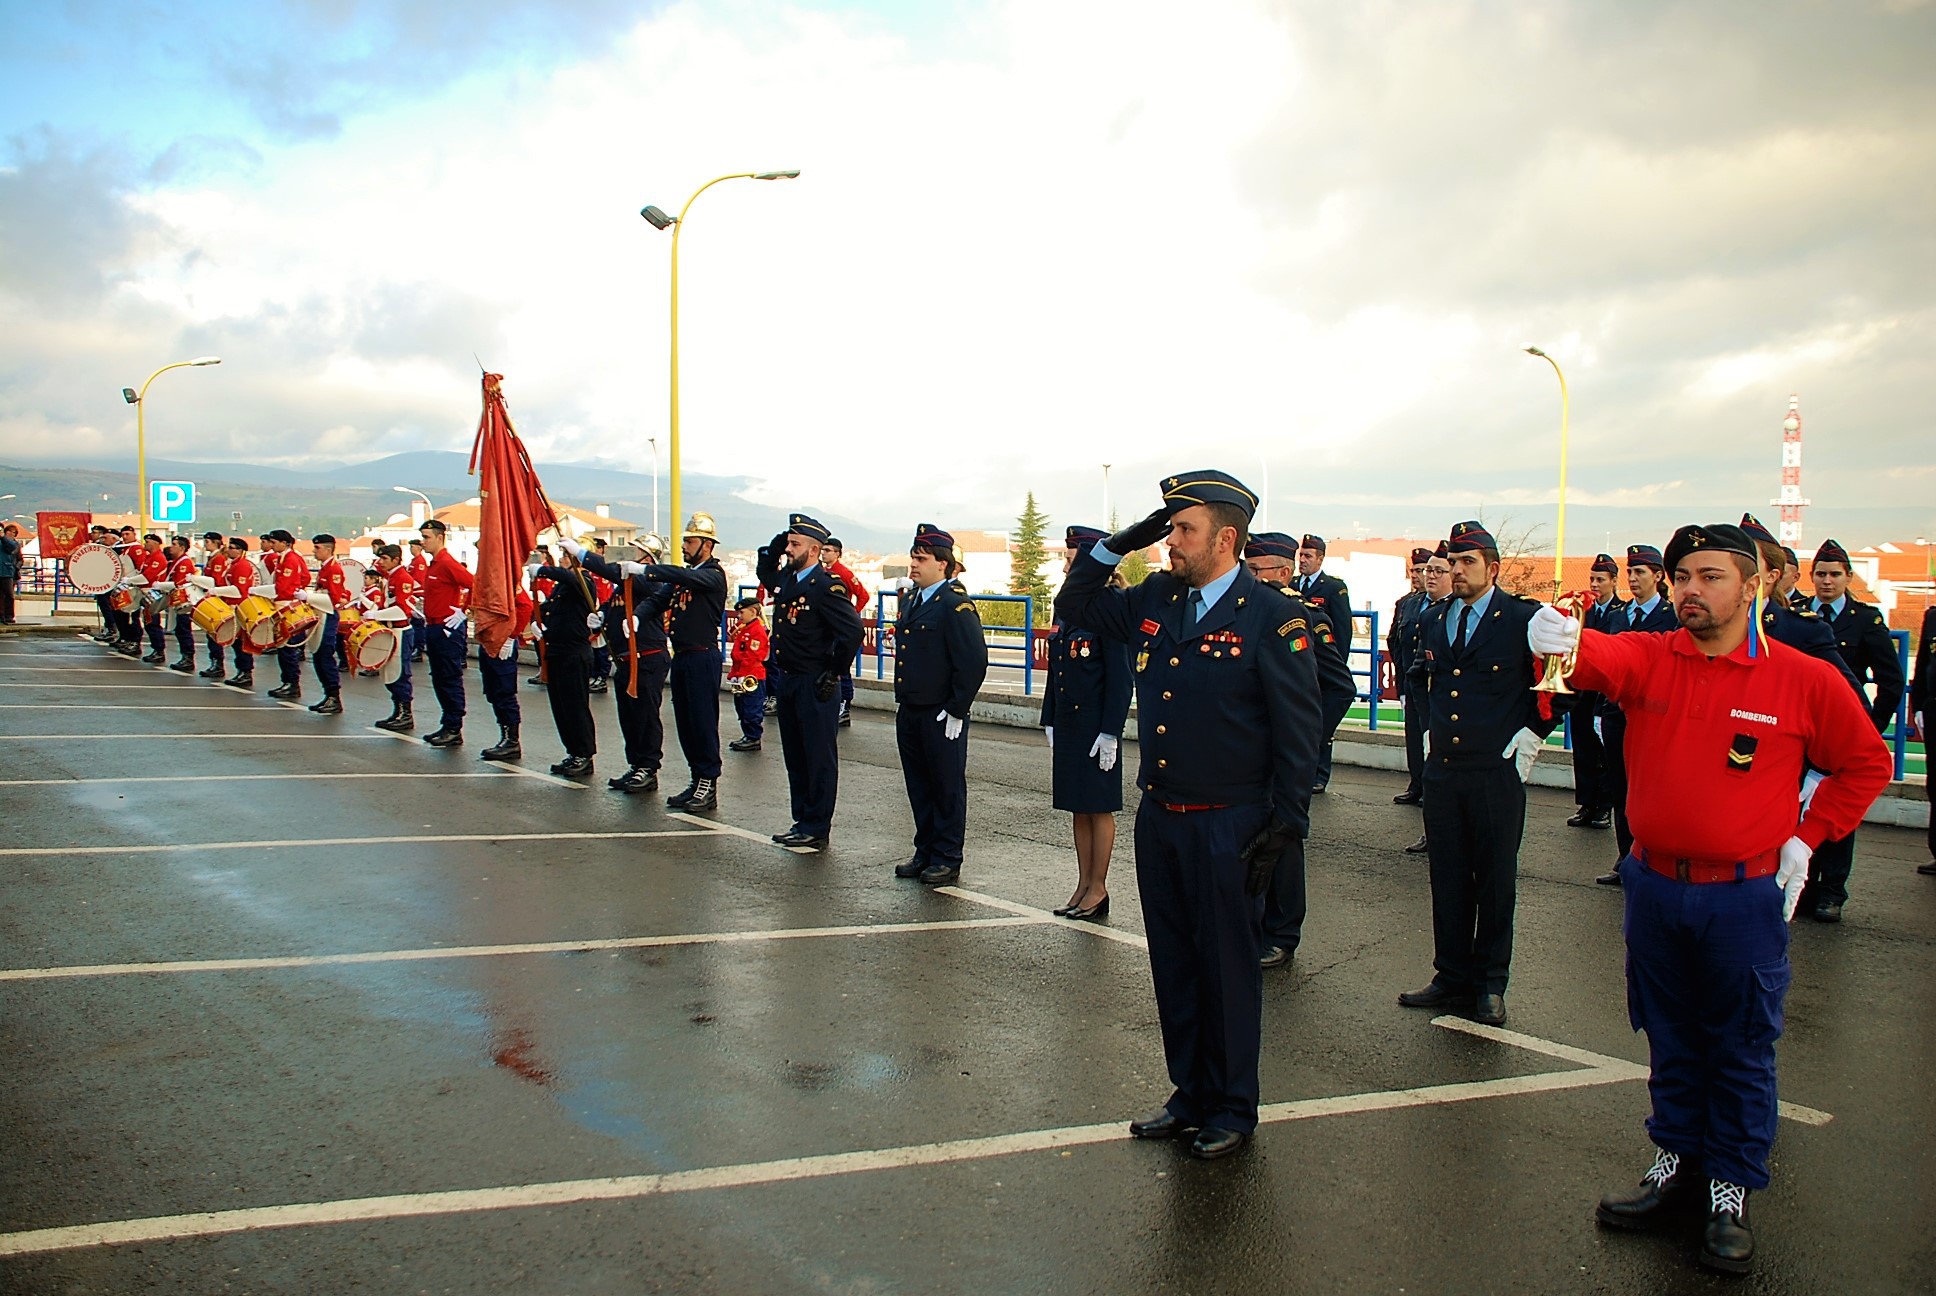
1087, 698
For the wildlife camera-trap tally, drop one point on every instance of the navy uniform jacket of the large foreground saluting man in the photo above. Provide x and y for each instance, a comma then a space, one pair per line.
1228, 708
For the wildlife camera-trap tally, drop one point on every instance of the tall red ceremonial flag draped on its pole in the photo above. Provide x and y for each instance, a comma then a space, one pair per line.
512, 512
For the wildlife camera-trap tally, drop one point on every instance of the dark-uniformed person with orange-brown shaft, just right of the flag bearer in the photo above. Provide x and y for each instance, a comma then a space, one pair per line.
636, 629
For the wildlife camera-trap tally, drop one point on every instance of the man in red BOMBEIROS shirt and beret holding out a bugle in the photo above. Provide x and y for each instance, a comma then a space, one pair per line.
1720, 725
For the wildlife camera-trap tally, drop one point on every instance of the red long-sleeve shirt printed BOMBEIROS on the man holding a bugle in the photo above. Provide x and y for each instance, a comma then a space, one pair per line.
1693, 720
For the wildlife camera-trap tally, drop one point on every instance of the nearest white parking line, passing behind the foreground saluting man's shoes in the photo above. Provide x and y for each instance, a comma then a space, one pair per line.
797, 1169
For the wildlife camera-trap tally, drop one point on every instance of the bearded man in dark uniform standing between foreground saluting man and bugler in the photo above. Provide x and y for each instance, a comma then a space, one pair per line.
1484, 731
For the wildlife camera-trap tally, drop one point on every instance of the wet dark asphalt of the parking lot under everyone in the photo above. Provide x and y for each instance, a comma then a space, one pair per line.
146, 1094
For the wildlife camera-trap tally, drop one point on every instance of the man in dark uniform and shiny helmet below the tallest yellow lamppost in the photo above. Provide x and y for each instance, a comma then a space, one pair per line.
694, 629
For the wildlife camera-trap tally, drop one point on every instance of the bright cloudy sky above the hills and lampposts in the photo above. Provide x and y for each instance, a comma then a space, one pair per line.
1302, 241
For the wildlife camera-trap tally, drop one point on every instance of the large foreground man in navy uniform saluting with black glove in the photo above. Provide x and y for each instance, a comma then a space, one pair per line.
1230, 725
